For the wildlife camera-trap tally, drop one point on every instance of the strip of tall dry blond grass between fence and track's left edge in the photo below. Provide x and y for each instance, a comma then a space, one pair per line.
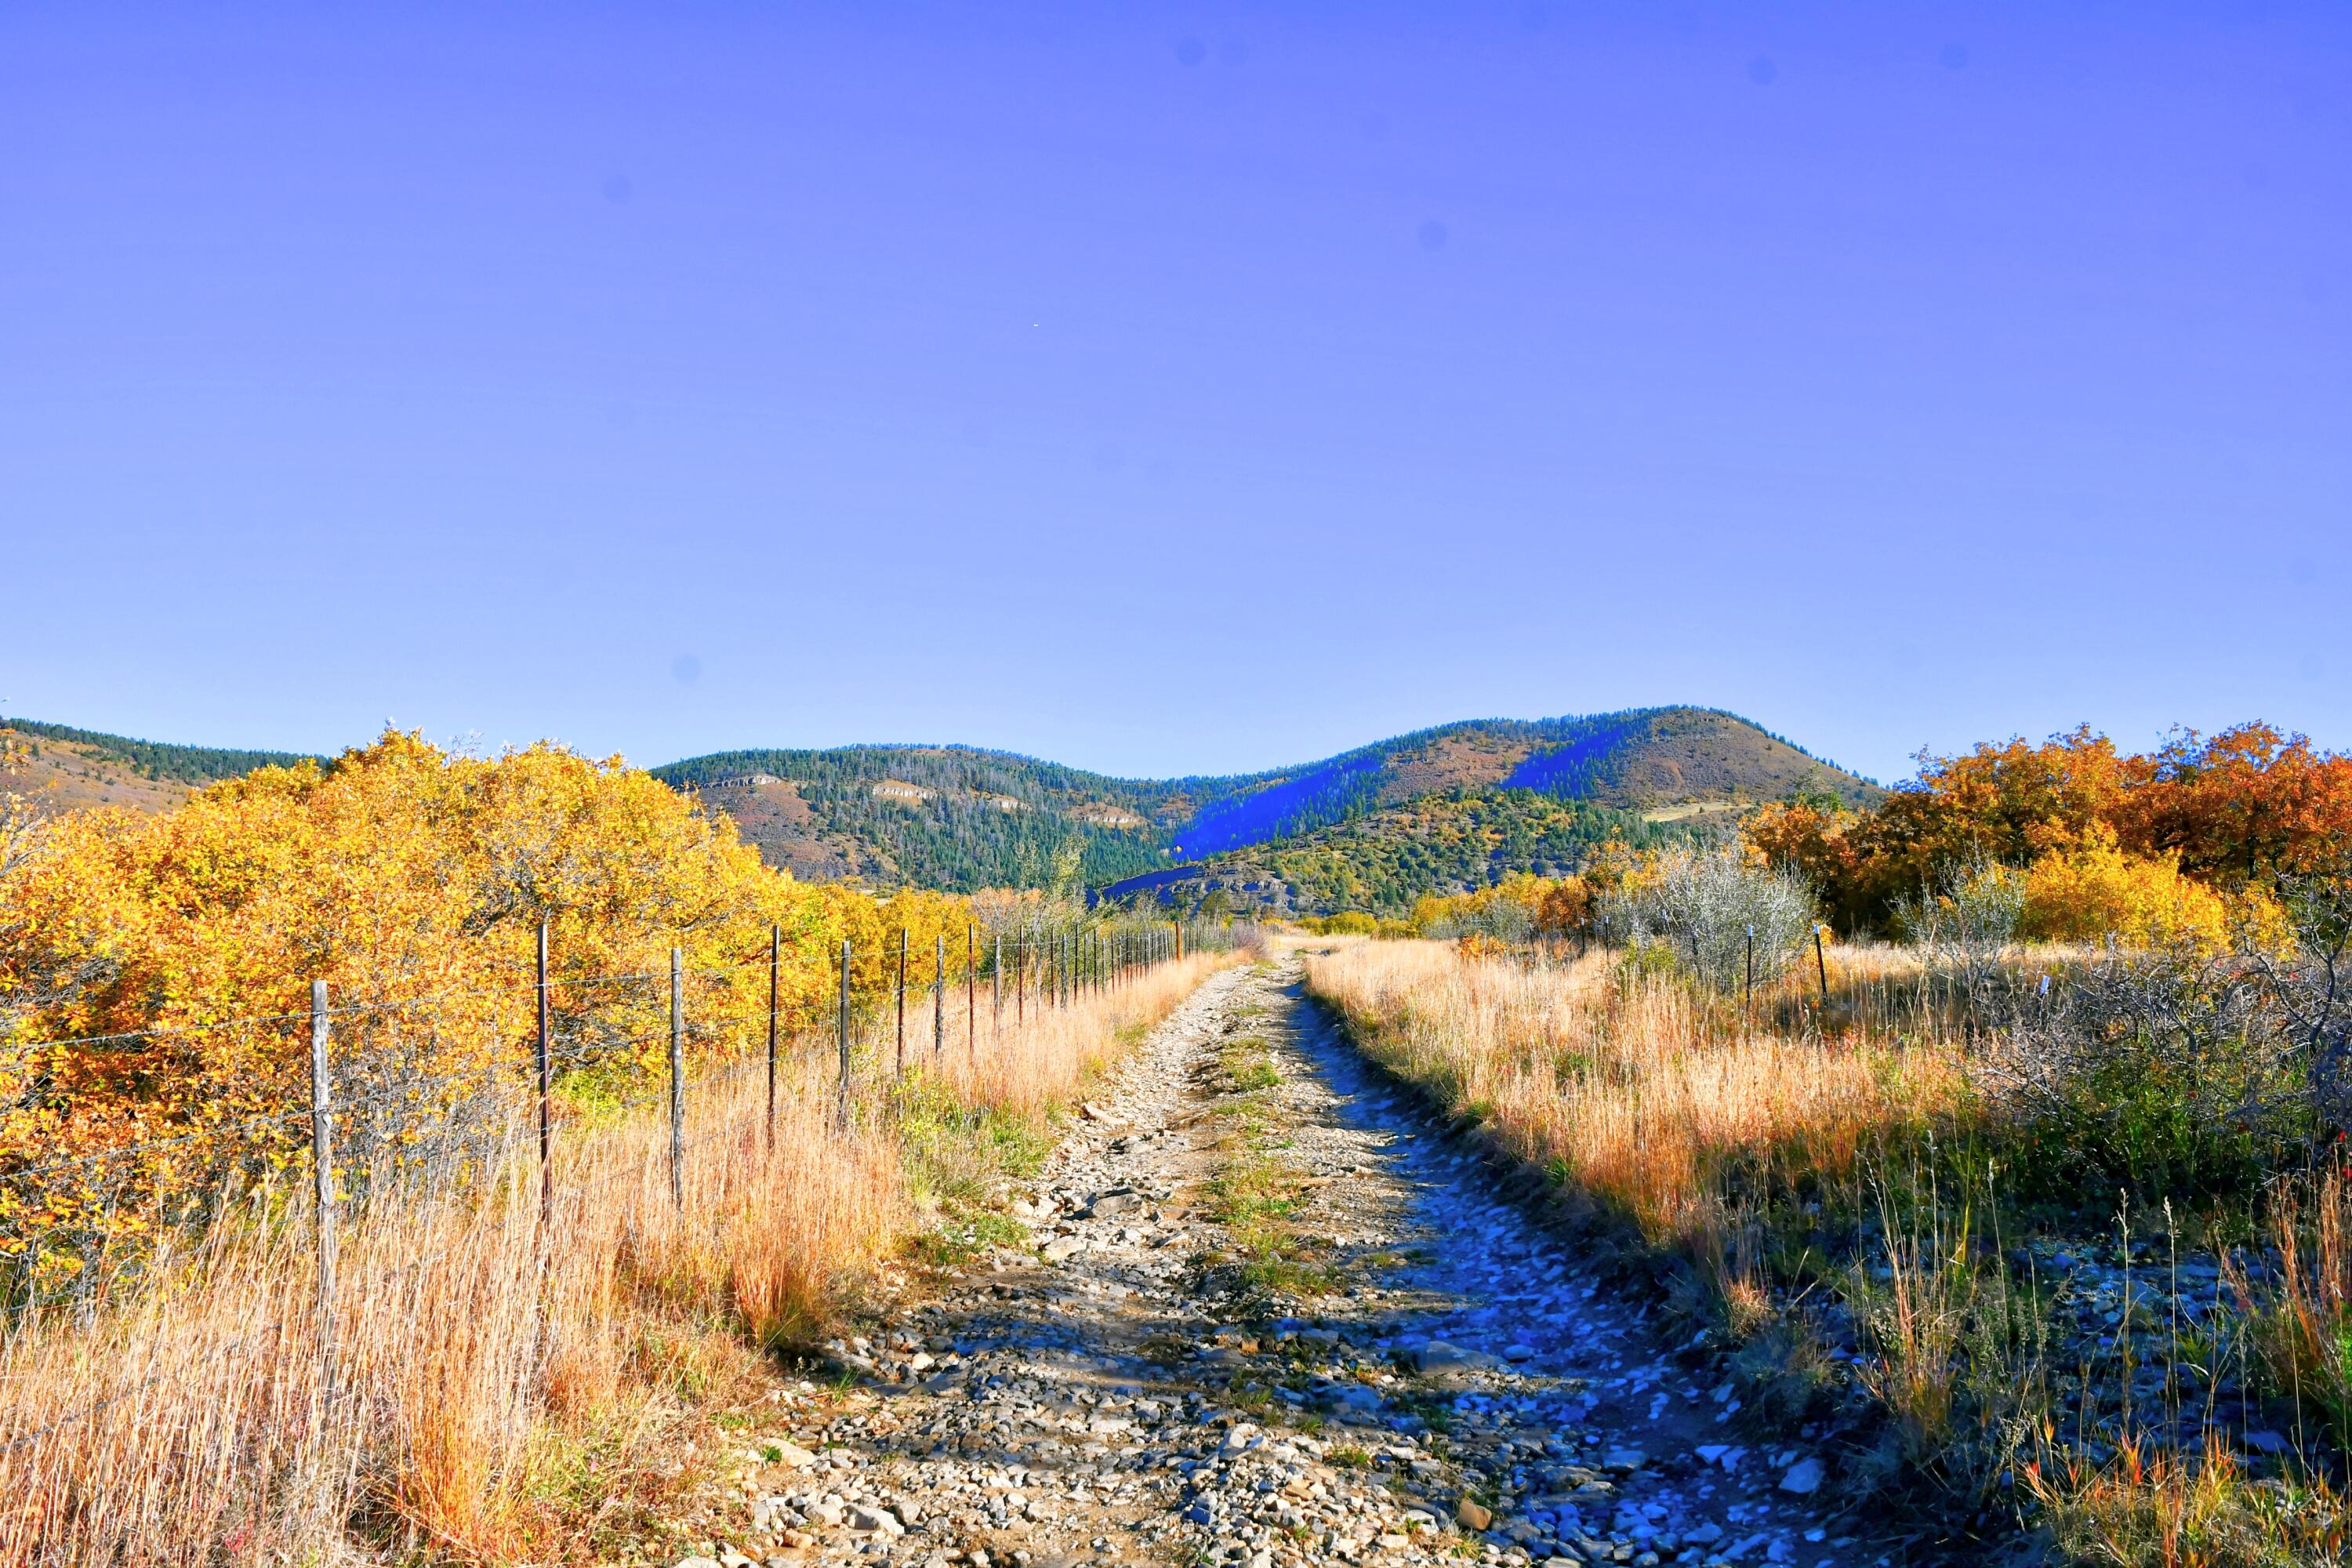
474, 1343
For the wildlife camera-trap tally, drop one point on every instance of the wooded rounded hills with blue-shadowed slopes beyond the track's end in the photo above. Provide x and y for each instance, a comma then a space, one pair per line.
1372, 829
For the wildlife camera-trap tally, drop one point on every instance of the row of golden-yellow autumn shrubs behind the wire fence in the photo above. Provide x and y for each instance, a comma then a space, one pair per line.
154, 970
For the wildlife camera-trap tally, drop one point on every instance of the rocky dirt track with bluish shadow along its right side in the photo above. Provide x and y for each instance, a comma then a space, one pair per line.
1269, 1315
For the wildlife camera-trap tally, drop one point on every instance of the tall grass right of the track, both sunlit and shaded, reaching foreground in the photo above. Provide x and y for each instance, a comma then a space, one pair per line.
1833, 1151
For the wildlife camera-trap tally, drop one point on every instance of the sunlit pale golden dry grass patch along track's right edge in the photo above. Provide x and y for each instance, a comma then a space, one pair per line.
1669, 1108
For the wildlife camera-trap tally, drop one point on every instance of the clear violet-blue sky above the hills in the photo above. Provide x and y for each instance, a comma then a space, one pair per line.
1172, 387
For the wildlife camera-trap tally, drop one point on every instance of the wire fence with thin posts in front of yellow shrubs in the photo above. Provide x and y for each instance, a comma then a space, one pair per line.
363, 1106
